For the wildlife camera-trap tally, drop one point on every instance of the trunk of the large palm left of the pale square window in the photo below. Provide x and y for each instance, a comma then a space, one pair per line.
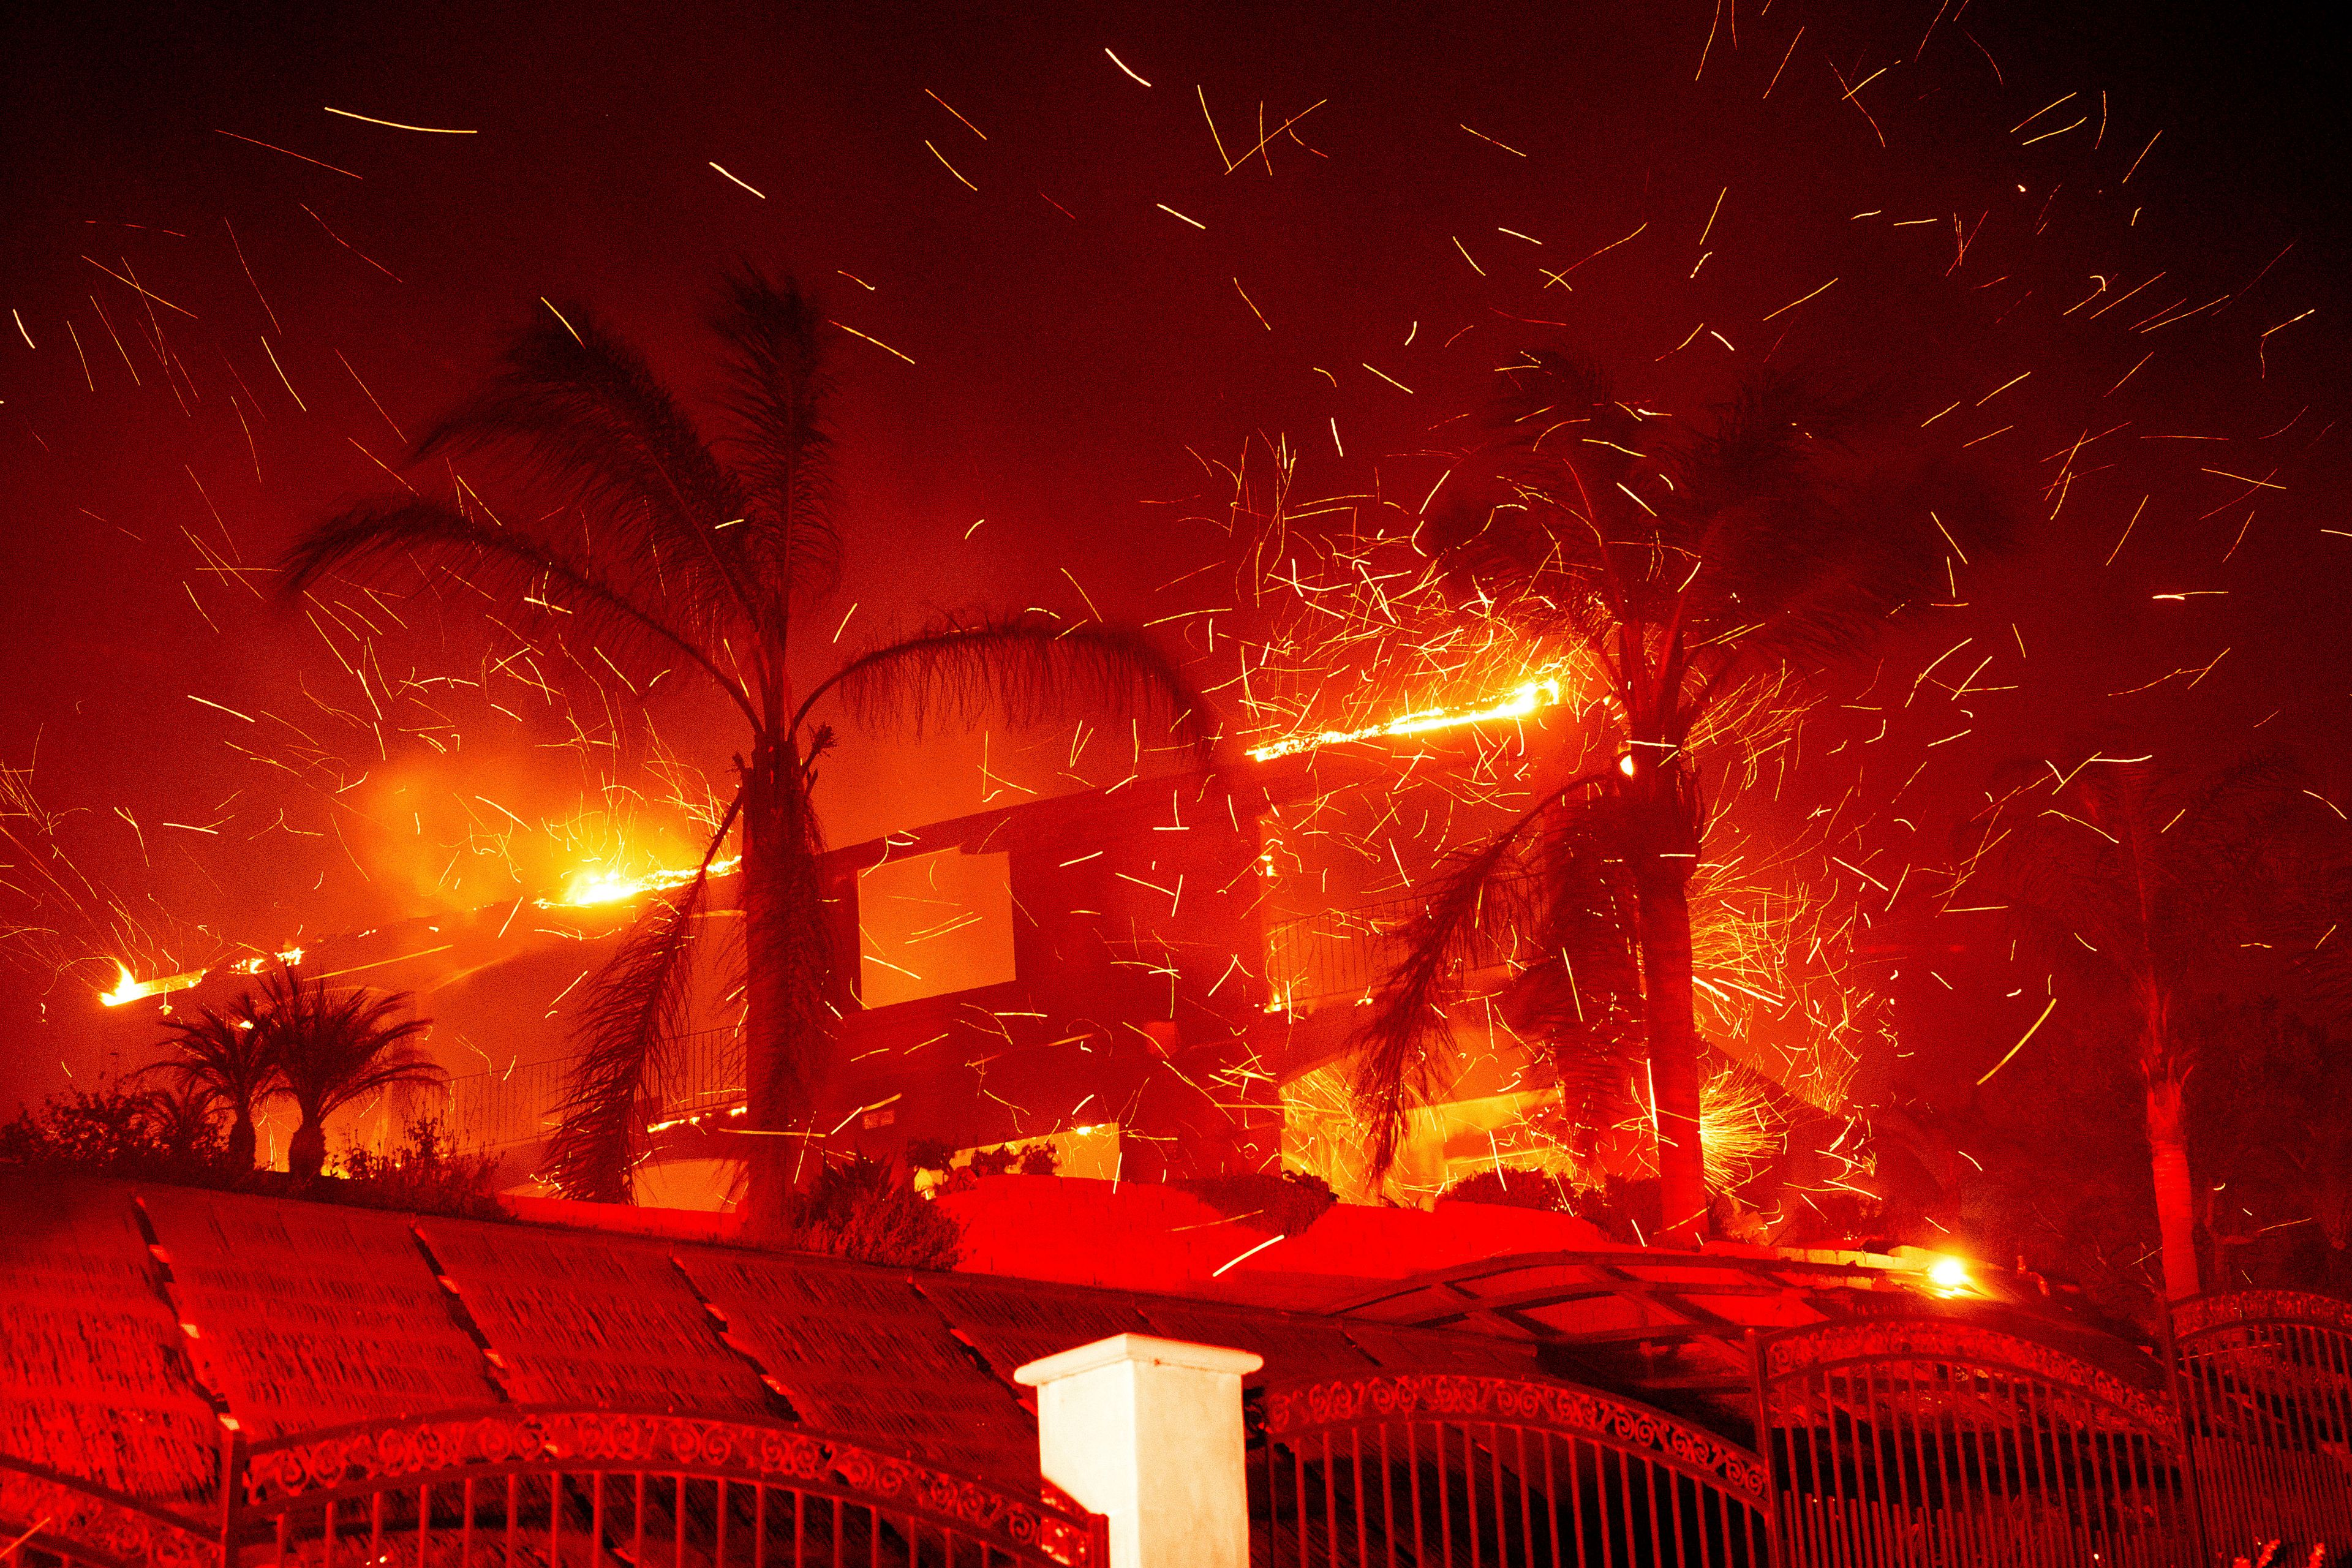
784, 1040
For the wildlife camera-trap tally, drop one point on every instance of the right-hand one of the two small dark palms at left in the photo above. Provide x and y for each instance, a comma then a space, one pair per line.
333, 1050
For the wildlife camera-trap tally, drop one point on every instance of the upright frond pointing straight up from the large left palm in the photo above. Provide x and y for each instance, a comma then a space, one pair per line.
780, 391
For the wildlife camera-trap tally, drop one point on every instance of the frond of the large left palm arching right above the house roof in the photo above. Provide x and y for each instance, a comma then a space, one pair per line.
1027, 669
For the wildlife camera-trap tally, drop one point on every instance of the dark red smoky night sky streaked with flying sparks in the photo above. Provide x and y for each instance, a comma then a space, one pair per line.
1095, 290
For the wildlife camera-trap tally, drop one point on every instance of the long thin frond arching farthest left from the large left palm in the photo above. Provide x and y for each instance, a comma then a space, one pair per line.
519, 565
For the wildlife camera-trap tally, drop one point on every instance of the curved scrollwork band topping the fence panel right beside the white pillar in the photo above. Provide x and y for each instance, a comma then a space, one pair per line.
1551, 1407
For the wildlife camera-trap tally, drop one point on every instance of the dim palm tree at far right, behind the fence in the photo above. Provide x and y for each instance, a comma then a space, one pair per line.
2153, 890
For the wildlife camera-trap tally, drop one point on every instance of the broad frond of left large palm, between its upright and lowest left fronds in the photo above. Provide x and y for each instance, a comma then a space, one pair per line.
584, 417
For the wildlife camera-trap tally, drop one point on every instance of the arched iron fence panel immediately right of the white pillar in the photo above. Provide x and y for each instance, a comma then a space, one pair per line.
1441, 1468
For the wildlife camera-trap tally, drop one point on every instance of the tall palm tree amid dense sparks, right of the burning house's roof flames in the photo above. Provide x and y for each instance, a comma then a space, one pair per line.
1683, 570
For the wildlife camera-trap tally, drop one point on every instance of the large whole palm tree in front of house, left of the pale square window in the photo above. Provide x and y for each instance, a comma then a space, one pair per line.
707, 554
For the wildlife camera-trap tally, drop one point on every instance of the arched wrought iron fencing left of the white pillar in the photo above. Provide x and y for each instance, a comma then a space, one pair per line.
568, 1489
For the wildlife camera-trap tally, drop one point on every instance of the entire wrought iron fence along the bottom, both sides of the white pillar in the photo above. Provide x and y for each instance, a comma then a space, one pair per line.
1880, 1442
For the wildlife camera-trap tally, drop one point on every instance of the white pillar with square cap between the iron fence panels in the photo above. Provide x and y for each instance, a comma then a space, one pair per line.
1149, 1433
